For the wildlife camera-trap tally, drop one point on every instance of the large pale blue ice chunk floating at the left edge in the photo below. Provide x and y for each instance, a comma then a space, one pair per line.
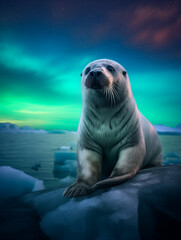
14, 183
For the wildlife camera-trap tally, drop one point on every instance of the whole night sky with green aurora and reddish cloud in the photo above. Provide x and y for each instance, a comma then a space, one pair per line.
44, 46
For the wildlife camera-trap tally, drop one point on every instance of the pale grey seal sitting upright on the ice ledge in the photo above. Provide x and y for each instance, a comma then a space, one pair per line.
114, 140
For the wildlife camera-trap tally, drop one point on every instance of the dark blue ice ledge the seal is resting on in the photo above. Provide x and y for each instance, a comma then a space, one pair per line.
145, 207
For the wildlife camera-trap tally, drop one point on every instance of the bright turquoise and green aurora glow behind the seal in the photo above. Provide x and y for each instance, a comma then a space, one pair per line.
41, 94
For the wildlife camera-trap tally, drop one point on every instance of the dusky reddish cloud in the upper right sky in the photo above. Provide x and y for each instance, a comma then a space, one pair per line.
155, 26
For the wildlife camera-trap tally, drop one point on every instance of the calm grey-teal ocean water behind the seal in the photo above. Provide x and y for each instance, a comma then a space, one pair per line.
26, 151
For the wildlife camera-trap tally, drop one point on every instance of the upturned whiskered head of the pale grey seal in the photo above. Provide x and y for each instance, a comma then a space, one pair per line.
105, 77
